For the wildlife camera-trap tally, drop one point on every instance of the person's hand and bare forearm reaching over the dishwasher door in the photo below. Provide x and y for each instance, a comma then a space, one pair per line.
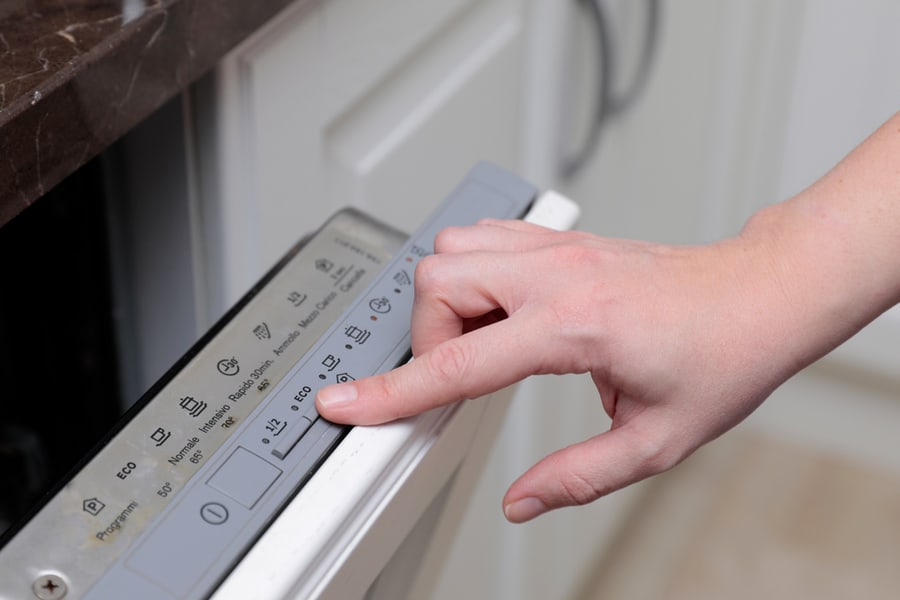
681, 342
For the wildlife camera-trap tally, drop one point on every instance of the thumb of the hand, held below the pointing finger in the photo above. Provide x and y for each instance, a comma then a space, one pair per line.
584, 472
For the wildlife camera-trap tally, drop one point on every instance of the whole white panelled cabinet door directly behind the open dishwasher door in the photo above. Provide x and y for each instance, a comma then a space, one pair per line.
380, 105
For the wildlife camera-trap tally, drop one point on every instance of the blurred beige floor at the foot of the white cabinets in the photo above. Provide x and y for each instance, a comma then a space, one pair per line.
757, 517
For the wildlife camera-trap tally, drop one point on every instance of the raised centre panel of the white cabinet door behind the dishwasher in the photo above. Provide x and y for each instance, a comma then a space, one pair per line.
399, 150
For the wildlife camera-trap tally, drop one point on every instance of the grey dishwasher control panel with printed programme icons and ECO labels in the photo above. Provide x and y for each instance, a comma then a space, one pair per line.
192, 476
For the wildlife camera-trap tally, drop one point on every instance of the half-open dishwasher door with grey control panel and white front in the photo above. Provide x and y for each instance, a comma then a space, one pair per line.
224, 481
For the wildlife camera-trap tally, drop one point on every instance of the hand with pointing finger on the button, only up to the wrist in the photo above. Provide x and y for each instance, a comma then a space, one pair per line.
671, 336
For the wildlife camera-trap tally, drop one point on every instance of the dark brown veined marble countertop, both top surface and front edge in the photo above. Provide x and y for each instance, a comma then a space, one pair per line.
77, 74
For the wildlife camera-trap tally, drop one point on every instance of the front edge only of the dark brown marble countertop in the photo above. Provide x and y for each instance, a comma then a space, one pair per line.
93, 100
